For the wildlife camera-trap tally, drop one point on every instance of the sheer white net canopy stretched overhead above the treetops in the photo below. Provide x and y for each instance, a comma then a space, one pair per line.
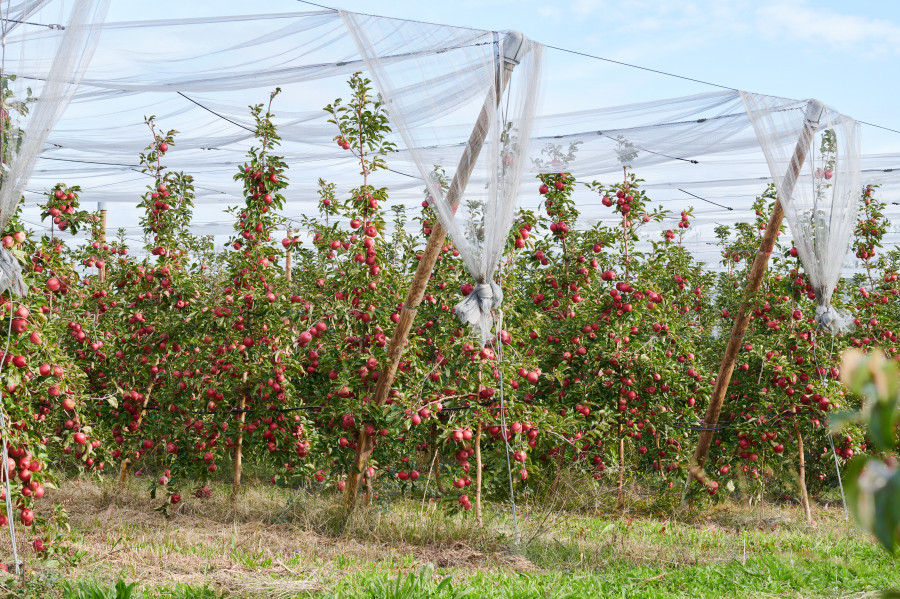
199, 74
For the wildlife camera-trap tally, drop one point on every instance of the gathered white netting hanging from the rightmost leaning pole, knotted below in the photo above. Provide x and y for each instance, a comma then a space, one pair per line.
813, 154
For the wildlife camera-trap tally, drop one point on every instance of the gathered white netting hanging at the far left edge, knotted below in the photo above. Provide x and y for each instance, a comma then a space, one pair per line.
46, 47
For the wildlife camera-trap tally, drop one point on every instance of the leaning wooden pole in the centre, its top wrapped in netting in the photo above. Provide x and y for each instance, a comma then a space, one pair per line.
429, 258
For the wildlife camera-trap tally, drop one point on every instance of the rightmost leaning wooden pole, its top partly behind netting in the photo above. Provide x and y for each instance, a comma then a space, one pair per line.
813, 114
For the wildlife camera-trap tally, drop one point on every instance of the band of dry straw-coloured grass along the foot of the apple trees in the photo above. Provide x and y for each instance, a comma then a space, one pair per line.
278, 543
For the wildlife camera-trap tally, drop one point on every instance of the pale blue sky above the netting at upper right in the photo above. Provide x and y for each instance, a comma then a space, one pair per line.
845, 53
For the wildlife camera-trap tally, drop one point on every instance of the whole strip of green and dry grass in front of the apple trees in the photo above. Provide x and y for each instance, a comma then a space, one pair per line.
281, 543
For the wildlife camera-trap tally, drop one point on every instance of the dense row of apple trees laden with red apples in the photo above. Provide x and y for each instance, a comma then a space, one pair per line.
188, 365
